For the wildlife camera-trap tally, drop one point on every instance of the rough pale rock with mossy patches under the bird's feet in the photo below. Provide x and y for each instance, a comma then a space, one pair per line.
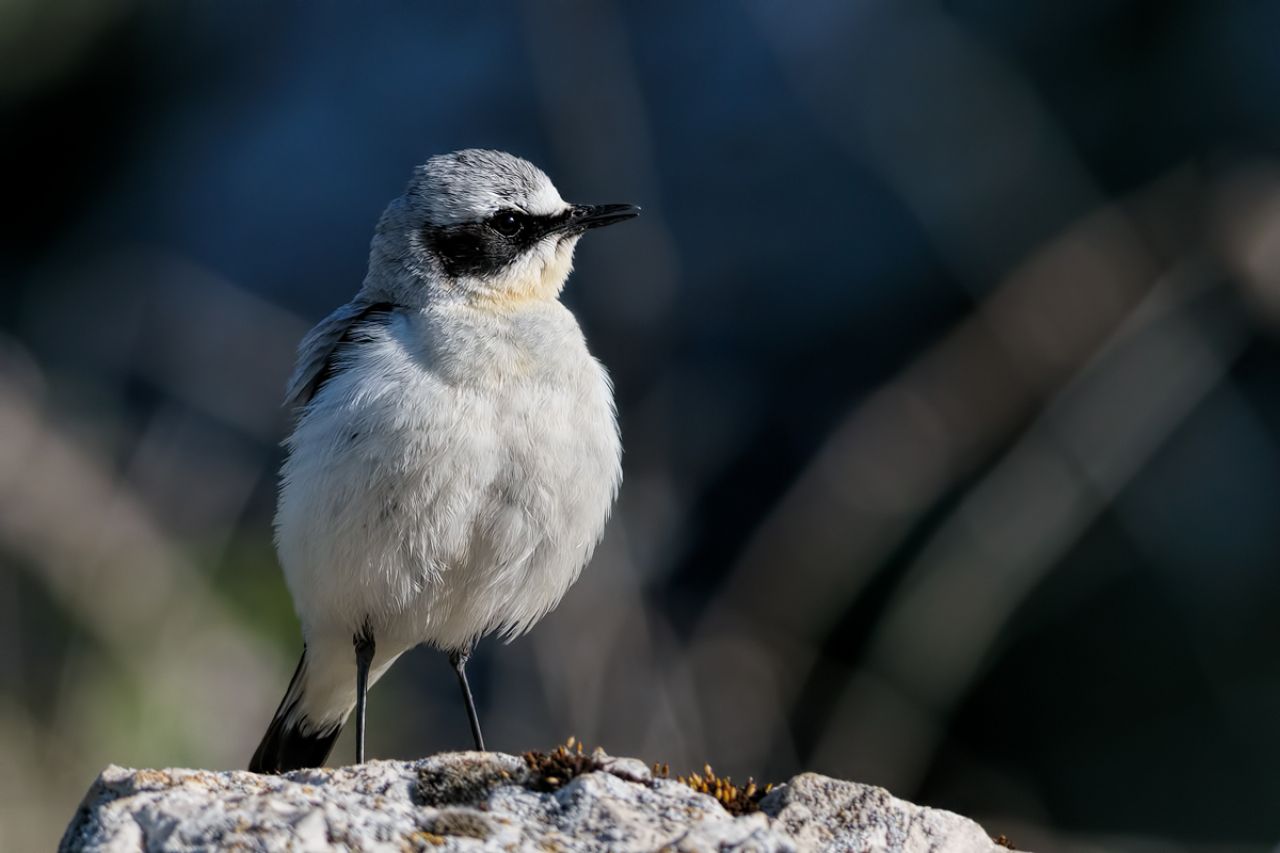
492, 802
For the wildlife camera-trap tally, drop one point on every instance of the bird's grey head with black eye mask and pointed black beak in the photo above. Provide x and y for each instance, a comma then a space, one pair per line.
482, 226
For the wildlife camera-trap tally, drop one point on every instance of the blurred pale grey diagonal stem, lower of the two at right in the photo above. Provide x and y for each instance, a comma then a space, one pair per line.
1018, 523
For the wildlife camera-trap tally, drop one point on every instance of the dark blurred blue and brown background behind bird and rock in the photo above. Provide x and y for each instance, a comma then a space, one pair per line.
947, 354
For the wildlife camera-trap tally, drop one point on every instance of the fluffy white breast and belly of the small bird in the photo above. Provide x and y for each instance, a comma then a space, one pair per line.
452, 480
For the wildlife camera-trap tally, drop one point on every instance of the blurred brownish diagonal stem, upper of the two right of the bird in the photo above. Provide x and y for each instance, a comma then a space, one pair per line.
918, 436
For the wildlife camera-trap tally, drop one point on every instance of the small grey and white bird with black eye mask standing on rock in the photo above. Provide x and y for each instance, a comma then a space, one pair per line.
456, 454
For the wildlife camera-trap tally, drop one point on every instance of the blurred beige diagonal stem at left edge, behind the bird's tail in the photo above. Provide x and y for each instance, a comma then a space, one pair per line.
195, 670
